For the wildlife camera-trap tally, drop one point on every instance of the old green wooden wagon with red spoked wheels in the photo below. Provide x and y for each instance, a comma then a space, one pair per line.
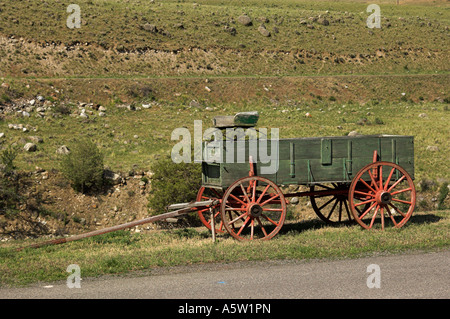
367, 179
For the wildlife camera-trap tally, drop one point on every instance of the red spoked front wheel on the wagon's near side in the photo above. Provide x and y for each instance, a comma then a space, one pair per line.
253, 208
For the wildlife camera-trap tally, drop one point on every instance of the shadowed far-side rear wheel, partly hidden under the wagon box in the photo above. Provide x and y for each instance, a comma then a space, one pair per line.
330, 203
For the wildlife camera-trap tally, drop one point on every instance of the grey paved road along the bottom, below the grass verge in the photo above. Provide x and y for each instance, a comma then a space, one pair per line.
406, 276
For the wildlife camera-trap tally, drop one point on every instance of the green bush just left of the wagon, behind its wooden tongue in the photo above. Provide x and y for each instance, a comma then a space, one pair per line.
173, 183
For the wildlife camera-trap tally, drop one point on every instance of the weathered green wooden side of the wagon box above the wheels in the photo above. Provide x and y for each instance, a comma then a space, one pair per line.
307, 161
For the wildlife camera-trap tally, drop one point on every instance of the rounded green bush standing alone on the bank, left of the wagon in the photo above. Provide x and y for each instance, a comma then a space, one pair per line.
83, 166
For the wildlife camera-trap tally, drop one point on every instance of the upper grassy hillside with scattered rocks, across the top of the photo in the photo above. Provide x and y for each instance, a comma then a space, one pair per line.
172, 38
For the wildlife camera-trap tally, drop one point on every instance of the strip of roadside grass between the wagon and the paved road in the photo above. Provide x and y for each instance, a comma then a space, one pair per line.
123, 252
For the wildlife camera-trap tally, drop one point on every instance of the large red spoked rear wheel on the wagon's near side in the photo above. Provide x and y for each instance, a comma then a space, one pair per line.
388, 190
